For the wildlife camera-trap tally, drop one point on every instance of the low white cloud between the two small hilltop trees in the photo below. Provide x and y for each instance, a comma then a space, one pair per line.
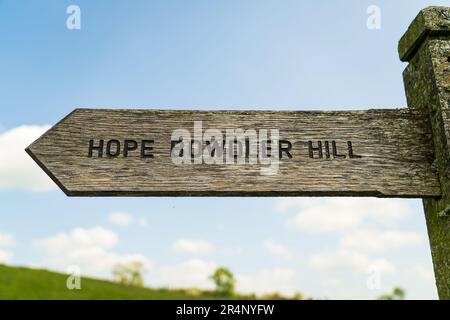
193, 273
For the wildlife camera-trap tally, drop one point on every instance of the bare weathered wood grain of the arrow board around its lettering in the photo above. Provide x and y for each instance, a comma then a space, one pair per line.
395, 146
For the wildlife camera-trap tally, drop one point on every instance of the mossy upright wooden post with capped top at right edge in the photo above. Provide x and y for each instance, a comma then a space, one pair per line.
426, 46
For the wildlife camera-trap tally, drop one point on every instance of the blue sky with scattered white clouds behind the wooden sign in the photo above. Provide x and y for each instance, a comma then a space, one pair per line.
299, 55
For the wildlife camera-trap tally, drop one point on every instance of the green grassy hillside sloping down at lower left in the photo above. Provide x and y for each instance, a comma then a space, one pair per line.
25, 283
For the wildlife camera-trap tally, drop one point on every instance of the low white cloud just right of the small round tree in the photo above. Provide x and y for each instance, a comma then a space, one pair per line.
268, 280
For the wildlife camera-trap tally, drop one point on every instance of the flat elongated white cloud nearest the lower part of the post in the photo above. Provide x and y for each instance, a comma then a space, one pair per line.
367, 240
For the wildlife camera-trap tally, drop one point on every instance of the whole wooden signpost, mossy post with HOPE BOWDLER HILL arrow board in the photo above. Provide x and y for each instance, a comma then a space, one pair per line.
382, 153
